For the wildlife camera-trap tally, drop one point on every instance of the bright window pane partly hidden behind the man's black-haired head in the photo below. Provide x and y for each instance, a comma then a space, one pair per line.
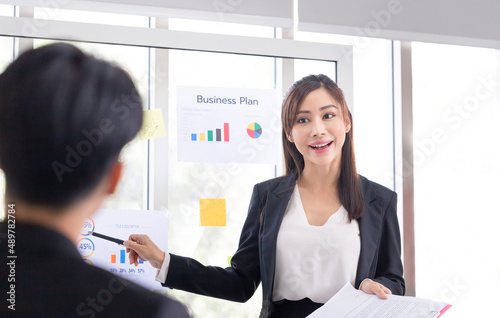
132, 190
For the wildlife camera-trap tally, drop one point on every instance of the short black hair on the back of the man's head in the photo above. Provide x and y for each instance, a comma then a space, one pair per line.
64, 118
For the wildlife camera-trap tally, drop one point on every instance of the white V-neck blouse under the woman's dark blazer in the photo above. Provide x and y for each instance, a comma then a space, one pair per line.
314, 261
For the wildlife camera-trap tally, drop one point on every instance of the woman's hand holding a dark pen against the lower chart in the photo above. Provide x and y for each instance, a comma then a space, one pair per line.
141, 247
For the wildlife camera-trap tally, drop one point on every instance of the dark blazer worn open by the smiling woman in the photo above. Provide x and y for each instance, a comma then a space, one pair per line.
255, 259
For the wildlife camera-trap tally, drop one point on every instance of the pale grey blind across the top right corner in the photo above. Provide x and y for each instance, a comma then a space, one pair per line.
443, 21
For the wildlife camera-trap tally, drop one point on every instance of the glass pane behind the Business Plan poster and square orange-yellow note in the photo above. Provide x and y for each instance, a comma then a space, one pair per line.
188, 182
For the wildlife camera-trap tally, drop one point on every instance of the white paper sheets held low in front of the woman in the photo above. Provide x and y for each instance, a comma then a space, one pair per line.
352, 303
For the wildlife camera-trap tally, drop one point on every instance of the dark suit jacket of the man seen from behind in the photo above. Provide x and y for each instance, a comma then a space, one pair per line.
52, 280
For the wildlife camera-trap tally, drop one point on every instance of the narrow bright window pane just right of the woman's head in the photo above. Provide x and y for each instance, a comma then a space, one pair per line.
373, 111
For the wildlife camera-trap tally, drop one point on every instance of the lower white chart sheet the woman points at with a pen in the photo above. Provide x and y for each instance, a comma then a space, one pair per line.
111, 256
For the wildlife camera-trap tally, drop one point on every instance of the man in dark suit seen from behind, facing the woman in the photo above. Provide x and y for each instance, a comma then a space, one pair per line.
64, 118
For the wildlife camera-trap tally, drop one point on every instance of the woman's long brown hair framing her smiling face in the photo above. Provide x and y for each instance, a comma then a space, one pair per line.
349, 188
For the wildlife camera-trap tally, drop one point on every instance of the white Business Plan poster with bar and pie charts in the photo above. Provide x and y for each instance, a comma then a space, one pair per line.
228, 125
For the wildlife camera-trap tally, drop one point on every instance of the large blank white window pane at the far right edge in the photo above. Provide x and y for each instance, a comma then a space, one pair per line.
457, 163
